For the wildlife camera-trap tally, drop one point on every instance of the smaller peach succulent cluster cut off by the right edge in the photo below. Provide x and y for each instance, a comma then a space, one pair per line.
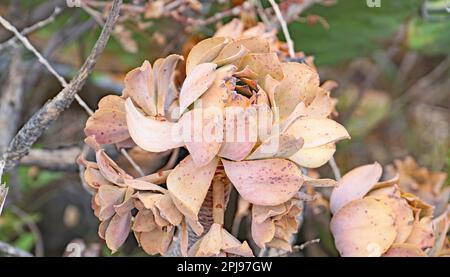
406, 215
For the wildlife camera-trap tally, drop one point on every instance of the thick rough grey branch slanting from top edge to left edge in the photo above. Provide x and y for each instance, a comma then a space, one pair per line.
42, 119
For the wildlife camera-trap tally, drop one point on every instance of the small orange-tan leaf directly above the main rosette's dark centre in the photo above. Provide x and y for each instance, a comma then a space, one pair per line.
263, 64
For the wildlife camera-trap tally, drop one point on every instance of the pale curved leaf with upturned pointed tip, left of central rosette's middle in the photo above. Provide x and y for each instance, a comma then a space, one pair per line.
151, 134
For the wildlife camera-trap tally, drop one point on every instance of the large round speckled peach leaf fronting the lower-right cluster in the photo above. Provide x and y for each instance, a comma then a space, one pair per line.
363, 227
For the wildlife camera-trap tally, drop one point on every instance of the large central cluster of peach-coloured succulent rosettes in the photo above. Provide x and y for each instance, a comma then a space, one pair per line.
236, 83
